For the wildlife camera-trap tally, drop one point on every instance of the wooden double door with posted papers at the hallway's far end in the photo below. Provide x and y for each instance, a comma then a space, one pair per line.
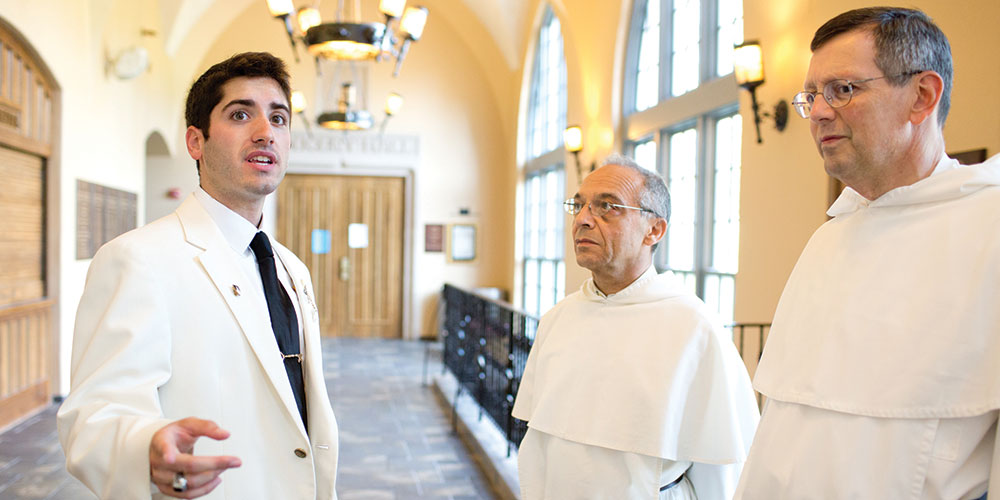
359, 287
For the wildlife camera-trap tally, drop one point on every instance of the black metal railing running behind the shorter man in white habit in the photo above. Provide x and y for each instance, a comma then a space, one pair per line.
486, 344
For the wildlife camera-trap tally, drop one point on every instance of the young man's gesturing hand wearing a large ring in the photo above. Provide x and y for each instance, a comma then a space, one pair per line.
170, 452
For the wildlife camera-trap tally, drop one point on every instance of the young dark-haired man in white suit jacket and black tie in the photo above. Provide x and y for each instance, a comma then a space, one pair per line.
174, 340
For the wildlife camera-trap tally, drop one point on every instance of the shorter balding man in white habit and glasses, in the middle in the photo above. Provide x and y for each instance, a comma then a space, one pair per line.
632, 389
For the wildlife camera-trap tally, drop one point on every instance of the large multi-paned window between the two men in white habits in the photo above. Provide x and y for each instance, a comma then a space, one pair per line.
683, 120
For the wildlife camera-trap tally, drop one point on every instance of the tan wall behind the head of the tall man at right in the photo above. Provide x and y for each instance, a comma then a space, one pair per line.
783, 190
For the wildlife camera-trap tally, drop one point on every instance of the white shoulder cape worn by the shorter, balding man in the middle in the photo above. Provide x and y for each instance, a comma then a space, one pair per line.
643, 371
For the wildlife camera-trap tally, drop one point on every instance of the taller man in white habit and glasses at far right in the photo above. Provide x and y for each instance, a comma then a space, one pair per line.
882, 370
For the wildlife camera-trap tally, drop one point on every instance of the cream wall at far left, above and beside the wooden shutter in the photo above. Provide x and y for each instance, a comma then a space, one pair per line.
104, 121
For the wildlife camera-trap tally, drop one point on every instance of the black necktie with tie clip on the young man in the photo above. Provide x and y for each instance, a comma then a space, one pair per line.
283, 320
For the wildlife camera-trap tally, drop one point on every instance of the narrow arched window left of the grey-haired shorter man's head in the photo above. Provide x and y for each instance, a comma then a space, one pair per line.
544, 180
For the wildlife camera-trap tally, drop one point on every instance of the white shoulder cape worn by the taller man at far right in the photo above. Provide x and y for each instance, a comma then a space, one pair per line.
893, 309
